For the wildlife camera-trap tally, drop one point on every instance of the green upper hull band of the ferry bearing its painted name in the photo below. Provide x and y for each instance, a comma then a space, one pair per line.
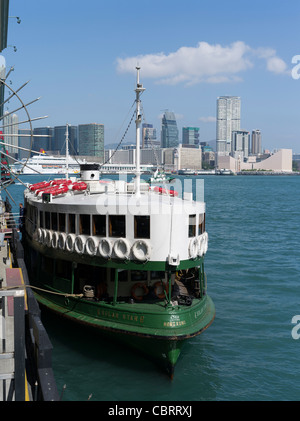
137, 319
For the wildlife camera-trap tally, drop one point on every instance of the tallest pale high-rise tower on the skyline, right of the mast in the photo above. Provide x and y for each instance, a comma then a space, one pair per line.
228, 121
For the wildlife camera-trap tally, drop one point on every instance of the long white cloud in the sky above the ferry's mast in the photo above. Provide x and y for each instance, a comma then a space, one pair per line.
203, 63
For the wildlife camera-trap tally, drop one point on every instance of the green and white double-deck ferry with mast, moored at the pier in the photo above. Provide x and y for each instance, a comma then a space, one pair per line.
123, 257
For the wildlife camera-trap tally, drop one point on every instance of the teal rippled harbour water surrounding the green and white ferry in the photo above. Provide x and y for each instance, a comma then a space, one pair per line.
248, 353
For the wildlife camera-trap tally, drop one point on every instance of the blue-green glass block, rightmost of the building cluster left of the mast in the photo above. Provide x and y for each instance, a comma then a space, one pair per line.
91, 139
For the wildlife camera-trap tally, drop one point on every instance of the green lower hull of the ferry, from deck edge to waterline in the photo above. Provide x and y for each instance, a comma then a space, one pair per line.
163, 347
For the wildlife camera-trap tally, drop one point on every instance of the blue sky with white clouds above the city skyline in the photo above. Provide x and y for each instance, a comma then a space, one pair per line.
80, 57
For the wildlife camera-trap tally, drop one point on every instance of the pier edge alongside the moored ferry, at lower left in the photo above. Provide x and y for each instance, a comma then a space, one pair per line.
25, 351
